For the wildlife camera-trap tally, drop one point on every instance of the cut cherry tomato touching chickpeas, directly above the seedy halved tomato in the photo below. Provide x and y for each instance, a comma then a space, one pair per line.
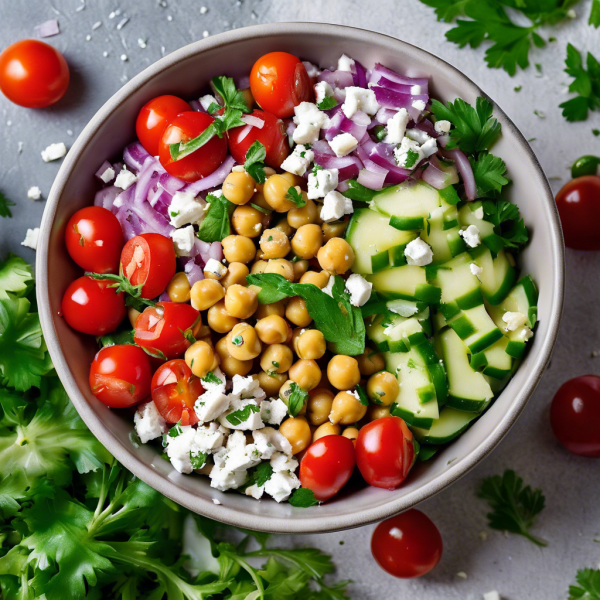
163, 328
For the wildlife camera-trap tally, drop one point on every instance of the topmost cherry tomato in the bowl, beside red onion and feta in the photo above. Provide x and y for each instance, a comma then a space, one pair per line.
279, 82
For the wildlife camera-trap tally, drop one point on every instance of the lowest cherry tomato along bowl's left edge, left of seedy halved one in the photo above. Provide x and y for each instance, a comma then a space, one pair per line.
120, 376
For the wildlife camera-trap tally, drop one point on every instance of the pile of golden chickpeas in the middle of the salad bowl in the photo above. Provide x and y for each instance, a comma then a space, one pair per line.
275, 341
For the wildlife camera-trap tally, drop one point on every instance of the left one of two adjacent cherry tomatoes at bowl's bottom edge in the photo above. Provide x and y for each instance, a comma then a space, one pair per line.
327, 465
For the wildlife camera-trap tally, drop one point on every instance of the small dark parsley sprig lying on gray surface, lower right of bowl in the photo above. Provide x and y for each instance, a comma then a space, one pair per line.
514, 507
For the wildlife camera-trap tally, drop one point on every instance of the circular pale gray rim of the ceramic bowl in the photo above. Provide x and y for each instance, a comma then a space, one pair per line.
187, 498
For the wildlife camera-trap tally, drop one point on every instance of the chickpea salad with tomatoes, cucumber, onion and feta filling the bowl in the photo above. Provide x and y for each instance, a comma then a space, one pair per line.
303, 271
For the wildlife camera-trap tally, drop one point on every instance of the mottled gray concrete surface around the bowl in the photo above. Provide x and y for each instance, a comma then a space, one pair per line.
571, 520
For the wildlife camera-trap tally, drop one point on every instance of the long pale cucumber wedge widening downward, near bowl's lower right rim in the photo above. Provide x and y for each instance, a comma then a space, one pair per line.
467, 389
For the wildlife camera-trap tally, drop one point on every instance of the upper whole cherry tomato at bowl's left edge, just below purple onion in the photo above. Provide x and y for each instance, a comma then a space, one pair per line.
94, 239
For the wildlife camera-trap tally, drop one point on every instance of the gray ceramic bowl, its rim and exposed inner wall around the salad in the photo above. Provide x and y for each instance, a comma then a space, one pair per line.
185, 73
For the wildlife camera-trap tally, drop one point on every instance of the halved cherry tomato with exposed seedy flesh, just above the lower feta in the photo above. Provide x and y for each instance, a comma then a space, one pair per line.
174, 392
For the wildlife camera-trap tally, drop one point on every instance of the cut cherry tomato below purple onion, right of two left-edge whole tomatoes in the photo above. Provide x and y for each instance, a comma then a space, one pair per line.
149, 260
